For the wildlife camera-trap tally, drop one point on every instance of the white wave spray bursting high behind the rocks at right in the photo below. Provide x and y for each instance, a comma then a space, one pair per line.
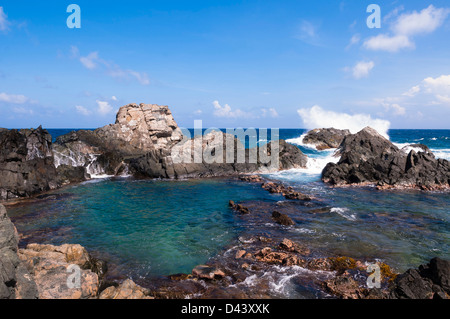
316, 117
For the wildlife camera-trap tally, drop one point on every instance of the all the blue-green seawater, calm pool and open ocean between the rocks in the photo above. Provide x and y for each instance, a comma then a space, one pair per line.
152, 228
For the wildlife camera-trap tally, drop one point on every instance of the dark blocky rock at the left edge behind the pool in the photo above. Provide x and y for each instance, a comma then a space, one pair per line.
26, 163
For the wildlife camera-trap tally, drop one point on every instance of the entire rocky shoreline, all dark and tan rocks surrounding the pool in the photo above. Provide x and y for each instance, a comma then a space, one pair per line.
141, 143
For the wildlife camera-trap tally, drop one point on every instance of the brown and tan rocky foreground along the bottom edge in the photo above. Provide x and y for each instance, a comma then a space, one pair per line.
47, 272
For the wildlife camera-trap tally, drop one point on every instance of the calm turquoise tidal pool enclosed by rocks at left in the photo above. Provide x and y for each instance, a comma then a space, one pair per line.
147, 227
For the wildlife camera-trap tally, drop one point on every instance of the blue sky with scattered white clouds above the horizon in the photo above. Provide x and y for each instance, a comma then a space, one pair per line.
286, 64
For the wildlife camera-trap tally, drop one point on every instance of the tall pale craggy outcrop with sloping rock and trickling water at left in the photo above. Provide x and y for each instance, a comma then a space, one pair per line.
139, 129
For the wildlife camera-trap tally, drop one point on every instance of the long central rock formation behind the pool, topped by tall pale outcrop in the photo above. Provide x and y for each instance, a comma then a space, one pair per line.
146, 141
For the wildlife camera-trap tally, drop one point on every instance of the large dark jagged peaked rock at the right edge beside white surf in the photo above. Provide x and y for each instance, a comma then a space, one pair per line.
369, 158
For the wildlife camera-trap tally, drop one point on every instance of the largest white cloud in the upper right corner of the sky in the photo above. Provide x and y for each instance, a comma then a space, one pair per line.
405, 27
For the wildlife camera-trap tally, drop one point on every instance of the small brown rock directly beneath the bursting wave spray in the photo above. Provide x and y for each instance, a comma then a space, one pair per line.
325, 138
